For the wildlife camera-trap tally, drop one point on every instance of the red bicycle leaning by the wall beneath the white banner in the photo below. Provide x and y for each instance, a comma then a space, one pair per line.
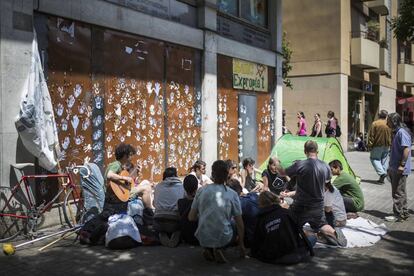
20, 214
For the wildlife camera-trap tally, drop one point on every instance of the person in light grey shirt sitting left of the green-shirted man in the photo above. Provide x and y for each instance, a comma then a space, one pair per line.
334, 206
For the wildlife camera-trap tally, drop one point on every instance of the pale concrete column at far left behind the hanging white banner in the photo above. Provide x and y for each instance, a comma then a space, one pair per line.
16, 23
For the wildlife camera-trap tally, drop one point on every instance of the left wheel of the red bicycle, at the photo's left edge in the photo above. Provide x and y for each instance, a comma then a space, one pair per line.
11, 226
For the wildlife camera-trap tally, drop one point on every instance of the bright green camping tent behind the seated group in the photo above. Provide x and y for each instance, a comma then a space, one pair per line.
290, 148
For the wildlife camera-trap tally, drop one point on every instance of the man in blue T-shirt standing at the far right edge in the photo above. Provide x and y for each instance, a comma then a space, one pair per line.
400, 166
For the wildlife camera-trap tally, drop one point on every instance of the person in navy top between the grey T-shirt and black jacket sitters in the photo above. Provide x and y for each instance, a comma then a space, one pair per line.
250, 209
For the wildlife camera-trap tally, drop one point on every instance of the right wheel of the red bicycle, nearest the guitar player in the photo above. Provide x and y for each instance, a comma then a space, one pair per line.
74, 209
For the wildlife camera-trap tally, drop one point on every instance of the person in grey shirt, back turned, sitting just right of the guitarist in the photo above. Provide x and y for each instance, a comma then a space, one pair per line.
166, 217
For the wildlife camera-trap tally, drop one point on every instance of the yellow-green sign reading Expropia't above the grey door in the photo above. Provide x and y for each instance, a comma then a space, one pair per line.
249, 76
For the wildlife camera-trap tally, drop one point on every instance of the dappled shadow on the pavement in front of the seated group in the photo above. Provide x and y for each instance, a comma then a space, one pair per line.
67, 259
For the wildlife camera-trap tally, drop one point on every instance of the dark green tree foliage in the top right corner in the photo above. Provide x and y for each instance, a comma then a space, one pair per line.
403, 24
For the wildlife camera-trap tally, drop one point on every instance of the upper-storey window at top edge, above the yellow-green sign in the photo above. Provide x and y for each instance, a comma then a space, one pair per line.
253, 11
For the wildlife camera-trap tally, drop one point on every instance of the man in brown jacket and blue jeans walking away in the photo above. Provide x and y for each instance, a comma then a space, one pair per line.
379, 141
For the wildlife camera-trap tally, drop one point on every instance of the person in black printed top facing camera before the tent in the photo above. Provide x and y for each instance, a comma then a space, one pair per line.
272, 181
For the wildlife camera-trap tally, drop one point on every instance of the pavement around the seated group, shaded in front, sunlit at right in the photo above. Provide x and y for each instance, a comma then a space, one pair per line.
394, 254
